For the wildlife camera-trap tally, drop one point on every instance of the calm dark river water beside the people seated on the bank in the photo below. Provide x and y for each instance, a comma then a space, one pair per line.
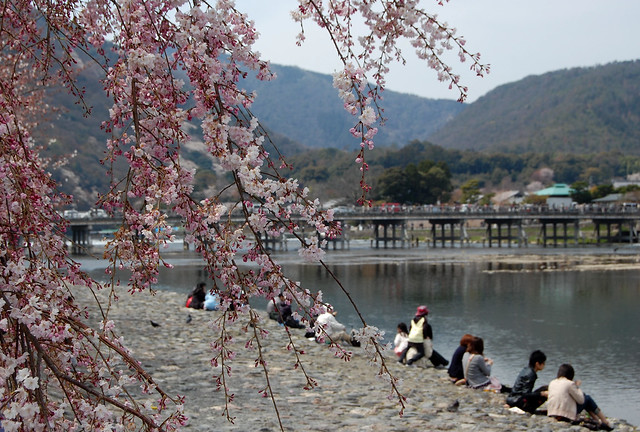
587, 318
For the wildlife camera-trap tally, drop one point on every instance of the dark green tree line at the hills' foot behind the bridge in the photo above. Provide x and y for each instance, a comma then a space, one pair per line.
425, 173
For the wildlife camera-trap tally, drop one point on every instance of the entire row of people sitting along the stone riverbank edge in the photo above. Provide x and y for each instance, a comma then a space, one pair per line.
468, 366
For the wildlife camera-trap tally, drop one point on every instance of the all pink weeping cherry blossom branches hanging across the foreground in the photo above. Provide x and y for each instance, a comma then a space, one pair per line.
169, 66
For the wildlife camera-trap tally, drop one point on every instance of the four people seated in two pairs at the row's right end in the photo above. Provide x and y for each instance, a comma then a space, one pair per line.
563, 397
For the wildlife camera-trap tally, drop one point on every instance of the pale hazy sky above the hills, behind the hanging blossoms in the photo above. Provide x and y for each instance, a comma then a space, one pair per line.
517, 37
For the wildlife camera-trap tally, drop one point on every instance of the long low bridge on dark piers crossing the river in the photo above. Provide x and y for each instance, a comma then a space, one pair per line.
448, 226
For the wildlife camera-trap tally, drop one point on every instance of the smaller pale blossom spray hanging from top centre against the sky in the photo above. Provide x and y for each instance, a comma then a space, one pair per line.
386, 24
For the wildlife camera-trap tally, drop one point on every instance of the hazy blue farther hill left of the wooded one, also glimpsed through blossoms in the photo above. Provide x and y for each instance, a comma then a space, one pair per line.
300, 110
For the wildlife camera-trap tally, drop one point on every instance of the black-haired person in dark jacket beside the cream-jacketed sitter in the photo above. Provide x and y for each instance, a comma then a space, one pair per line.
523, 395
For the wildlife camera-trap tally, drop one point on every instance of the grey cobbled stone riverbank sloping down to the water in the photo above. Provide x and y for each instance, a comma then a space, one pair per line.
349, 396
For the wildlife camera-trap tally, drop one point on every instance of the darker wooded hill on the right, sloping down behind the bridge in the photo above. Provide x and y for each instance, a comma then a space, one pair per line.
581, 110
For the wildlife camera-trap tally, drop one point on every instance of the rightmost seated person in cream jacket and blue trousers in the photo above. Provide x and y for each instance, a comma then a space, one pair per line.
566, 400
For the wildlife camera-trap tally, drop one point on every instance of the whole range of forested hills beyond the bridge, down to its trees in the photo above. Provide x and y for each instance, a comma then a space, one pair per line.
581, 123
